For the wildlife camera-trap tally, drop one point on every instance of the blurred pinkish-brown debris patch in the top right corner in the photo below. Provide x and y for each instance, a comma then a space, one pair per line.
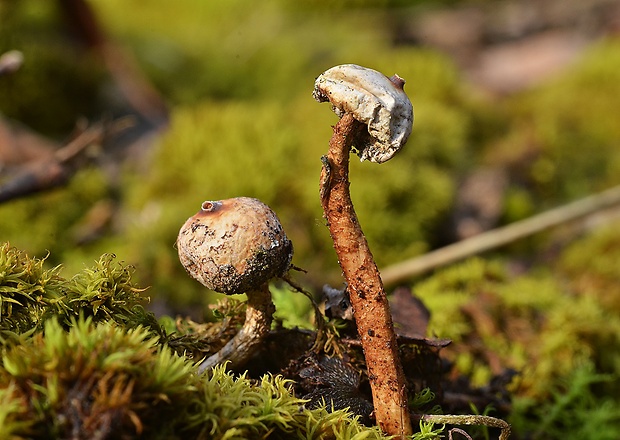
507, 46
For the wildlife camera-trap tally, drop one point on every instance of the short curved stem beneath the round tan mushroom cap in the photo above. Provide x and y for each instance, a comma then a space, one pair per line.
258, 317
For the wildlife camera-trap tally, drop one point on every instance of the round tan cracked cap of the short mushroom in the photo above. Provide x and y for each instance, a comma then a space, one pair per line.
234, 246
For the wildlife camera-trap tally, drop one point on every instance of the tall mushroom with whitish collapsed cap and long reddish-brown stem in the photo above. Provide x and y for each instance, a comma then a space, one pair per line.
376, 120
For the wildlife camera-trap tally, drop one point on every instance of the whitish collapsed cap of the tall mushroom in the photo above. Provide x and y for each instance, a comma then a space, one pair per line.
373, 99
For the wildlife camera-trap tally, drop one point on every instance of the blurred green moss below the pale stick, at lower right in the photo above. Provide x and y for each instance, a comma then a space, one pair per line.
562, 338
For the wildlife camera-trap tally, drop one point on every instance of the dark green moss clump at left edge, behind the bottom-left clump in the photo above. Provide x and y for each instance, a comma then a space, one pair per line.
30, 295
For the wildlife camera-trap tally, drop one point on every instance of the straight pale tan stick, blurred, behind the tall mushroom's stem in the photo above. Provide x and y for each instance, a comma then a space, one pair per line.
498, 237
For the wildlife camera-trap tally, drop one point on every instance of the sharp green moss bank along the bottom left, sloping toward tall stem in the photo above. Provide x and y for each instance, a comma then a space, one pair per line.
114, 382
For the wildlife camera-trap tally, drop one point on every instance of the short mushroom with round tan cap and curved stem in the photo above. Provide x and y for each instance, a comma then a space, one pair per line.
236, 246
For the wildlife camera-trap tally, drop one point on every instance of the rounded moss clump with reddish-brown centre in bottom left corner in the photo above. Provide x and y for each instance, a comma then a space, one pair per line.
96, 381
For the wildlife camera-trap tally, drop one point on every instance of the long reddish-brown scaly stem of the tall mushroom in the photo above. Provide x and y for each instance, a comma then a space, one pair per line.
367, 295
